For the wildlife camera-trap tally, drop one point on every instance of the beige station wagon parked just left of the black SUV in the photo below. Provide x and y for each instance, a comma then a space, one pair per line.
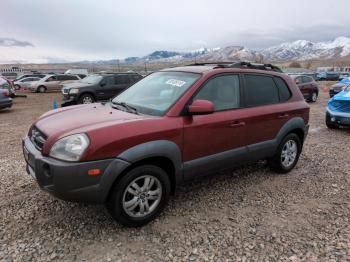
52, 82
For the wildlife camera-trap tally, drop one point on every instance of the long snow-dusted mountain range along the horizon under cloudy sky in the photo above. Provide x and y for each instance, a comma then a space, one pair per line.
299, 50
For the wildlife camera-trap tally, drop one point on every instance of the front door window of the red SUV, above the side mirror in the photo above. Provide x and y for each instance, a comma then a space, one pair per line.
223, 91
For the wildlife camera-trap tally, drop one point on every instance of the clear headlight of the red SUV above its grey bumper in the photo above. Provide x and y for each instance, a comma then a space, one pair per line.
70, 148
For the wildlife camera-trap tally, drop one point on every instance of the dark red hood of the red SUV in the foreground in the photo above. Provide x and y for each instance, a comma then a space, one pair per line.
81, 119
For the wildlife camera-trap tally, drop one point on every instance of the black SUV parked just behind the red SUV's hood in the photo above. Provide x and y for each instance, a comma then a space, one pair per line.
97, 87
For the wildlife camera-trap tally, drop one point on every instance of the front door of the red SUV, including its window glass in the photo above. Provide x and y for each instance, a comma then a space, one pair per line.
214, 141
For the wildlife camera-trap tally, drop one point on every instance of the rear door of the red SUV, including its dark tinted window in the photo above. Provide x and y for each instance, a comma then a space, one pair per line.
266, 111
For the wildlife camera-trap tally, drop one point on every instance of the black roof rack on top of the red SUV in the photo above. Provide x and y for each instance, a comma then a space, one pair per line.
249, 65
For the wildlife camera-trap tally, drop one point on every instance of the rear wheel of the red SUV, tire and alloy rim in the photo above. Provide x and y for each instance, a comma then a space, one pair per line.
287, 154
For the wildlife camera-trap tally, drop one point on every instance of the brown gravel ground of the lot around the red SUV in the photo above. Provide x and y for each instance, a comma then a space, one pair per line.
243, 215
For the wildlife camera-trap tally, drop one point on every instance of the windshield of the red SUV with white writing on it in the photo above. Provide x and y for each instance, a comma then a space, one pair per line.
154, 94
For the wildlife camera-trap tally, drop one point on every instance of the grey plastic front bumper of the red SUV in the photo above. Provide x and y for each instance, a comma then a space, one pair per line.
70, 180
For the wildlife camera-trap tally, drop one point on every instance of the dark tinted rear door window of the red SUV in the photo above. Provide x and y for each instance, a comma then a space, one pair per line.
260, 90
